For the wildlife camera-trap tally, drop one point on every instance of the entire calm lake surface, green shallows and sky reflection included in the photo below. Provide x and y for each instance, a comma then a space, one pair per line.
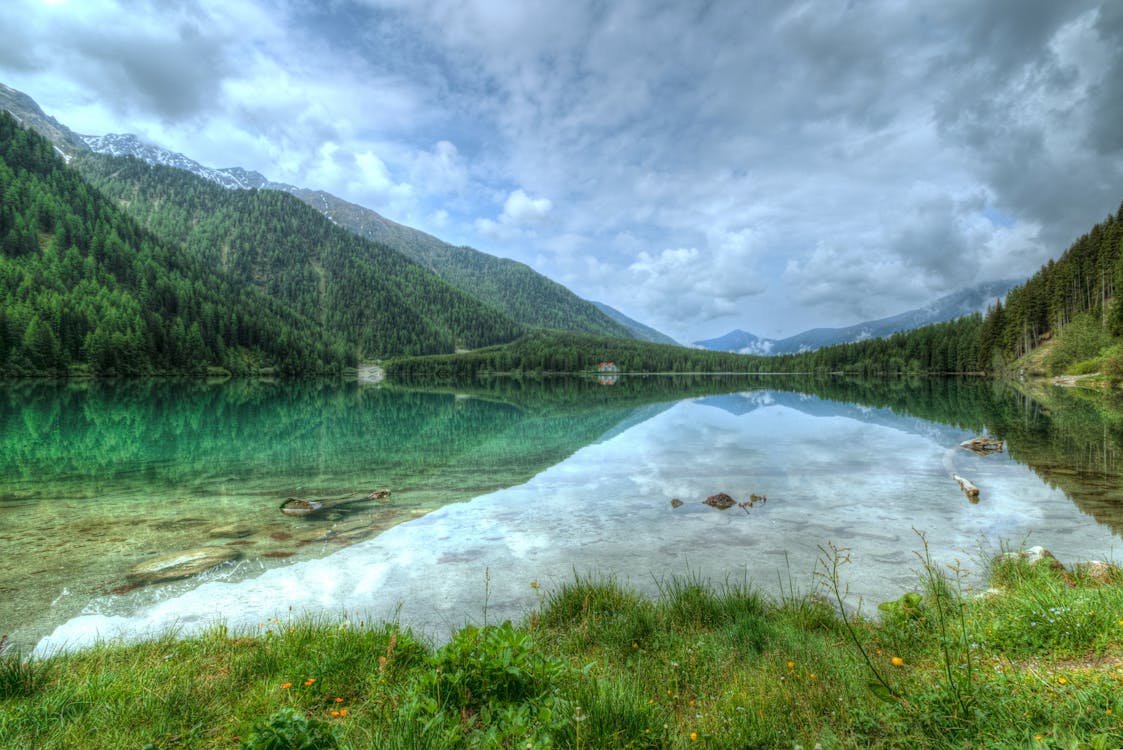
514, 483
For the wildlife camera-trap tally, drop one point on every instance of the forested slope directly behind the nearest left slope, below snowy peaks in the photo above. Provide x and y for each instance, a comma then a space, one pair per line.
382, 303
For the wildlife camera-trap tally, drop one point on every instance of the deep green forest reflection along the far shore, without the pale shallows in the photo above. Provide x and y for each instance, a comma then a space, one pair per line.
322, 435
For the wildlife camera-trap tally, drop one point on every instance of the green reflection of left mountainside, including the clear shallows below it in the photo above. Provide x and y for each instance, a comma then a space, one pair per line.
97, 477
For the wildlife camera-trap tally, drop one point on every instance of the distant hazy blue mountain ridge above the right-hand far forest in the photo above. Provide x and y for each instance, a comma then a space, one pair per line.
964, 303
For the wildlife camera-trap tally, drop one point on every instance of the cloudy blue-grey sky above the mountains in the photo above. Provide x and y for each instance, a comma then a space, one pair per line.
700, 166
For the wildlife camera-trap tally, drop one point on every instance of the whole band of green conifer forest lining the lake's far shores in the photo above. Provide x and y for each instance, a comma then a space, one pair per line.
120, 268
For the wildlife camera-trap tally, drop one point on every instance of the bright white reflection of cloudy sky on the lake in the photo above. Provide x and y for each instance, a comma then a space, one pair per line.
846, 480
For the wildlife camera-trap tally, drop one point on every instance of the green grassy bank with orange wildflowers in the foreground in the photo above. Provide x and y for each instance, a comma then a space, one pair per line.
1036, 664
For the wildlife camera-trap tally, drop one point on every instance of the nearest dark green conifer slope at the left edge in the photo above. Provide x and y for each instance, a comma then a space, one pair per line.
85, 286
